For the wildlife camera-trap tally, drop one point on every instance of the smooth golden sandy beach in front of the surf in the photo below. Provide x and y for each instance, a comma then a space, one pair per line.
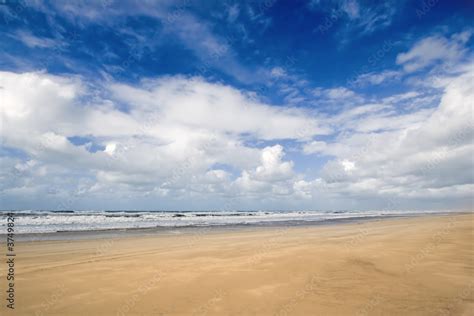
407, 266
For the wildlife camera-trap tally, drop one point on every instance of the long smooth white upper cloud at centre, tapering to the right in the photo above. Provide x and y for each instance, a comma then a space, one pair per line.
197, 104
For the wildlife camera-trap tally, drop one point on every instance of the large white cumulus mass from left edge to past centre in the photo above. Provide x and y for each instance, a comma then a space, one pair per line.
162, 136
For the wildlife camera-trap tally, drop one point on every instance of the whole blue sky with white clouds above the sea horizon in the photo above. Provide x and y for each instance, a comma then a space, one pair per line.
237, 105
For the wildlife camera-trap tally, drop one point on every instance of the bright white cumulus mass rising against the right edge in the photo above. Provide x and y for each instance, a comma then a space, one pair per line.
426, 153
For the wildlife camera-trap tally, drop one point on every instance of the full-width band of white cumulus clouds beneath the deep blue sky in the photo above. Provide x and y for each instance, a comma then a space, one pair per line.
188, 138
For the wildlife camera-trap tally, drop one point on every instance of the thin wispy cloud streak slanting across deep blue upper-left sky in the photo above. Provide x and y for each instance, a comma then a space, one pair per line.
214, 52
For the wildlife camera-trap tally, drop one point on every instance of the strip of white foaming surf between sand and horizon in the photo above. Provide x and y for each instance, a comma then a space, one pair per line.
55, 221
